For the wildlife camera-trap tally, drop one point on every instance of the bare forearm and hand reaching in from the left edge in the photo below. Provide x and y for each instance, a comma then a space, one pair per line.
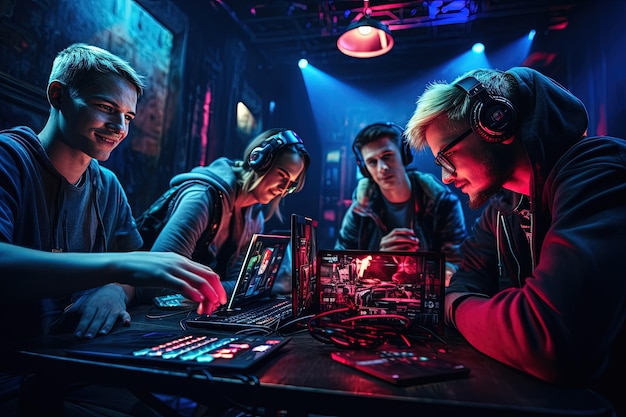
41, 274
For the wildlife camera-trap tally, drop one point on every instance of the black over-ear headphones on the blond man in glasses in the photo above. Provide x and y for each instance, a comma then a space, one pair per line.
492, 117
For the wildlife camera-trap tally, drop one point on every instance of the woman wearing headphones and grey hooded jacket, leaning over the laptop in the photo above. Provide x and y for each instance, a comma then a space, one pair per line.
219, 207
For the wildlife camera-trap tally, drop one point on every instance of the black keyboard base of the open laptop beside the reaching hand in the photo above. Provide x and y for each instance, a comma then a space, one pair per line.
265, 316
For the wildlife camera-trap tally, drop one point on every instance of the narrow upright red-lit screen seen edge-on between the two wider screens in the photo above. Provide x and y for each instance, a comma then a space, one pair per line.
304, 264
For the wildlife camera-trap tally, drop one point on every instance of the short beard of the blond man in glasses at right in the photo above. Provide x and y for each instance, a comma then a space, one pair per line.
498, 161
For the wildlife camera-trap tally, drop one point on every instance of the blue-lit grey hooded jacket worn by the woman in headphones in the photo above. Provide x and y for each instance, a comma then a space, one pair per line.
207, 207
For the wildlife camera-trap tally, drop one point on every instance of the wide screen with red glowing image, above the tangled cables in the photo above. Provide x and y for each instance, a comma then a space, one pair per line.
408, 284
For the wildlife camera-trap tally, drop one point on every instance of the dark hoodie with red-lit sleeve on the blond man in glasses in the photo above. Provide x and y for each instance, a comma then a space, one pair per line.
554, 305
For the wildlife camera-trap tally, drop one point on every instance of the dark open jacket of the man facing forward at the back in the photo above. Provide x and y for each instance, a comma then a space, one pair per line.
438, 220
